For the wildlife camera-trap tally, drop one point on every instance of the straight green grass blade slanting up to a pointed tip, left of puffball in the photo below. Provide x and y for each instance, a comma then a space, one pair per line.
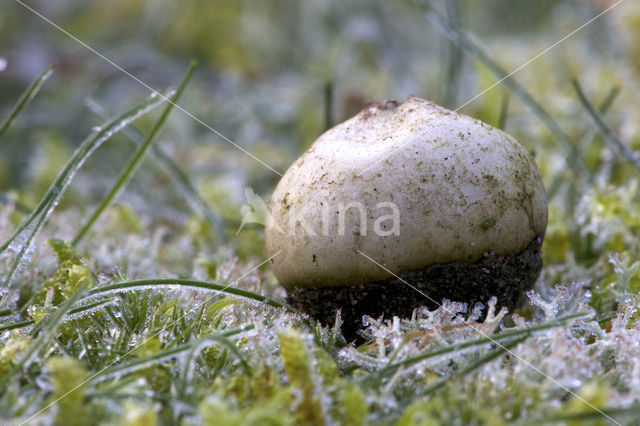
135, 160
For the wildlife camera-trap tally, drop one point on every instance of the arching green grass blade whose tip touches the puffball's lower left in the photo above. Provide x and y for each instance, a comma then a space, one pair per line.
157, 283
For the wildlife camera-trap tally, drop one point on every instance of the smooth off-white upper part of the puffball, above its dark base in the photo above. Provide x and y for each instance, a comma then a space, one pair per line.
462, 188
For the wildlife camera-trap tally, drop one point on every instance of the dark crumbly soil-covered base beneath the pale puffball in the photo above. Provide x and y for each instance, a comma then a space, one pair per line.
506, 277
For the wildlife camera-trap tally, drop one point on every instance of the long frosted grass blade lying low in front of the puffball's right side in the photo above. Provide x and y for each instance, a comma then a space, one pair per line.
391, 369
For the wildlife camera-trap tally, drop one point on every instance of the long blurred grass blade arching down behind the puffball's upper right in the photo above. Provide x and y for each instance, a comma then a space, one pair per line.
456, 35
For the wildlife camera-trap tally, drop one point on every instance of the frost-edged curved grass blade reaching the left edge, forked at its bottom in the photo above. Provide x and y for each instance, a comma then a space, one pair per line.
31, 225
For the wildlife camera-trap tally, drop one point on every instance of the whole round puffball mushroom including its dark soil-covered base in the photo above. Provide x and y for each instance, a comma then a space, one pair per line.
406, 193
